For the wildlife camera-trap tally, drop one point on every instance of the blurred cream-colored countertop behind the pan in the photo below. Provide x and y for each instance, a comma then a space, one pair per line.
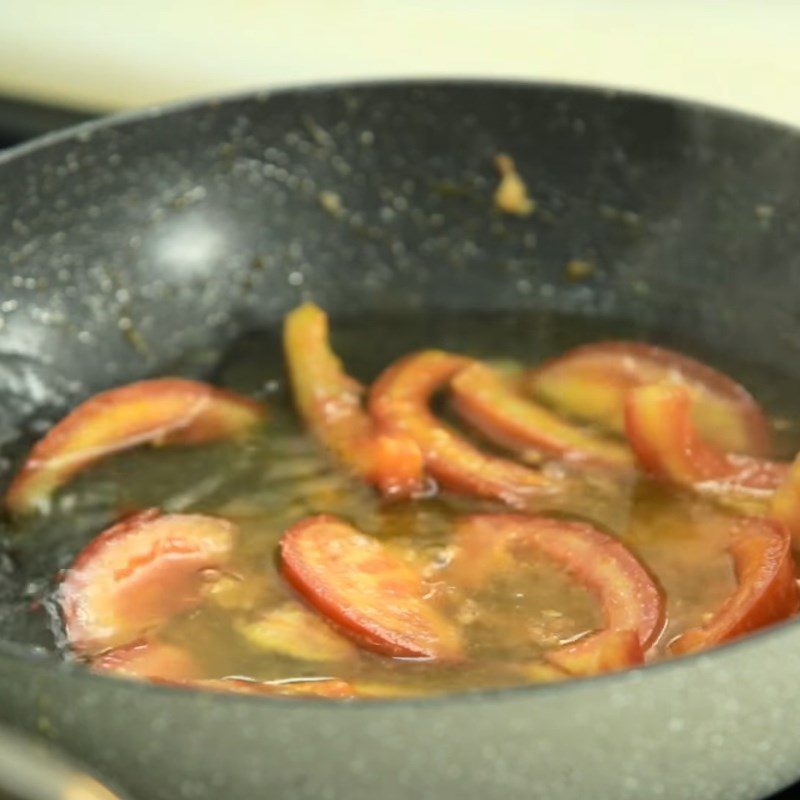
112, 54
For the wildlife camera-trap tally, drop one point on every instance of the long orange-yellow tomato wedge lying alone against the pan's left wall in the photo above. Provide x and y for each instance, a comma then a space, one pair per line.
159, 411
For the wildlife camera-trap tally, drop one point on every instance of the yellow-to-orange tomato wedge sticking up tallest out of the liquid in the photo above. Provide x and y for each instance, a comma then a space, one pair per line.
330, 401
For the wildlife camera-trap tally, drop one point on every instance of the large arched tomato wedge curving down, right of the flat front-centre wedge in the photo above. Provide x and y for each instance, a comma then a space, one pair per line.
628, 596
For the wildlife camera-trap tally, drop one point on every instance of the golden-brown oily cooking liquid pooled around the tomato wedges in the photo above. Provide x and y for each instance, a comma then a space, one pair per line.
281, 475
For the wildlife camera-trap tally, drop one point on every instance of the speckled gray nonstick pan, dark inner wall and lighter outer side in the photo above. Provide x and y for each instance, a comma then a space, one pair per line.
149, 244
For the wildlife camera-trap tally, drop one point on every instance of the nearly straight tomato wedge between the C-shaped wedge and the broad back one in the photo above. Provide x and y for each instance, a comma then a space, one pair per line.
488, 402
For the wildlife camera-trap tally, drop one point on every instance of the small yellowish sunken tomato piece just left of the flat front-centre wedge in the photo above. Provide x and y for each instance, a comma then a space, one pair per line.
293, 631
